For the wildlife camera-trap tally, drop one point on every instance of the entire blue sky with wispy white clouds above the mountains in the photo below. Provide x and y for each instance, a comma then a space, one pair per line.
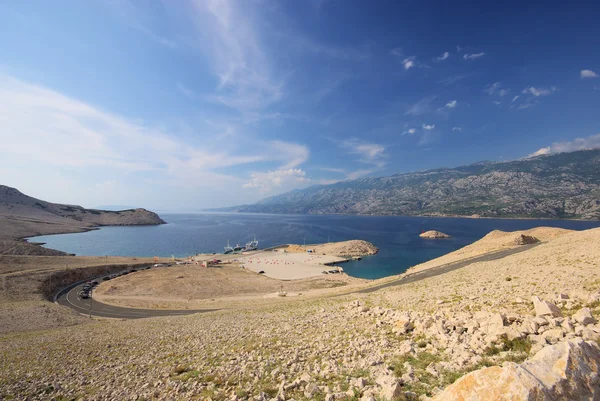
185, 105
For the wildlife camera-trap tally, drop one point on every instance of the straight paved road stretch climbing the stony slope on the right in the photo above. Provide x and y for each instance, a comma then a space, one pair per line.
445, 268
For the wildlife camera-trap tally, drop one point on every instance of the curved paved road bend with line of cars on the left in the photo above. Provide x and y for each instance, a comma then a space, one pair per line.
72, 300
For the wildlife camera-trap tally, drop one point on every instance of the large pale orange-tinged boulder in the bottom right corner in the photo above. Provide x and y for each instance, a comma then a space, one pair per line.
565, 371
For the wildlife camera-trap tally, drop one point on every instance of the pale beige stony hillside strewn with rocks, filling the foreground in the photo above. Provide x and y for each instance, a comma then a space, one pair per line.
522, 327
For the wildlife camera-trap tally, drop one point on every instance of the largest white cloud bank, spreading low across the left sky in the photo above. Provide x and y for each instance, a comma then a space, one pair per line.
80, 141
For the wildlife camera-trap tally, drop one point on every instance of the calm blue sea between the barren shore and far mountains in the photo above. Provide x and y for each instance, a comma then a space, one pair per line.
397, 237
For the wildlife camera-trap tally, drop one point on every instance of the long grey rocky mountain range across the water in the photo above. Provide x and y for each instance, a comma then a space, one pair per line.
561, 185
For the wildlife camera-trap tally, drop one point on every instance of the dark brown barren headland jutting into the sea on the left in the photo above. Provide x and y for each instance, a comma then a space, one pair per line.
23, 216
